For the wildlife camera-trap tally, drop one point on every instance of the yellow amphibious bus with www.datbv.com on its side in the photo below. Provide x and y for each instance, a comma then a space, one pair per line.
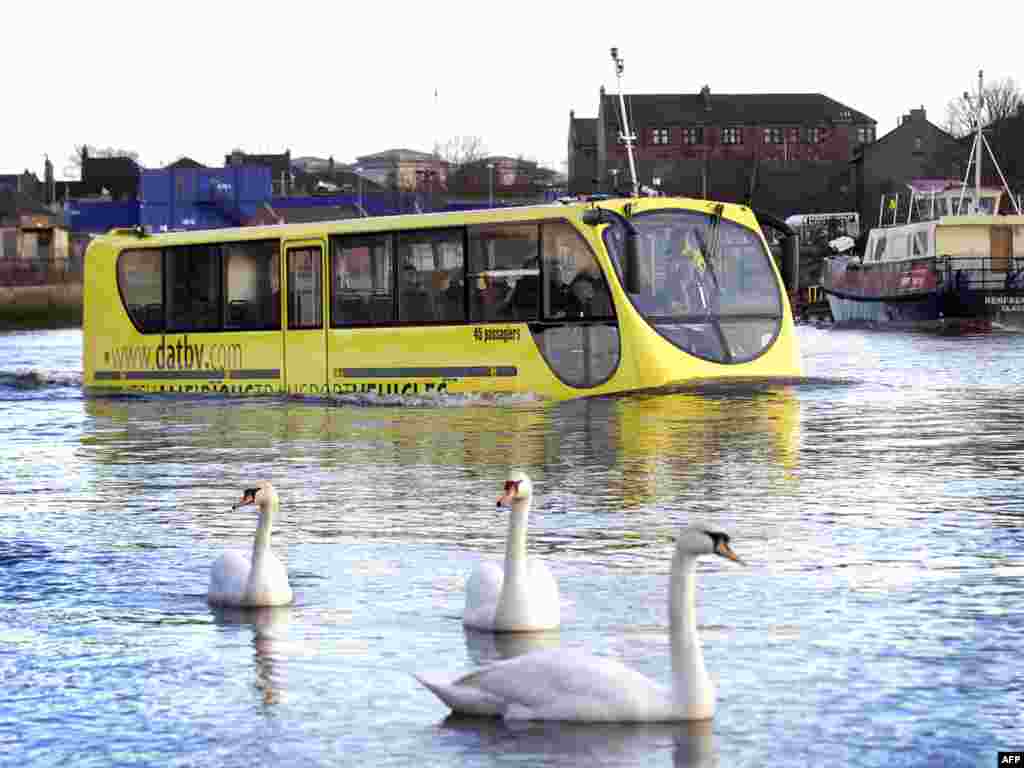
561, 301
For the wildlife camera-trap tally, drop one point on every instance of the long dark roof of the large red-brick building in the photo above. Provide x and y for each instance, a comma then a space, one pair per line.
752, 109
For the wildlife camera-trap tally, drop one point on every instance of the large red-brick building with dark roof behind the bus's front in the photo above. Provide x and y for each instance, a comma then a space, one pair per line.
782, 148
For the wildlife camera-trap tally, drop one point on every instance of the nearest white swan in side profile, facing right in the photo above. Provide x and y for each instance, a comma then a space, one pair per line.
571, 687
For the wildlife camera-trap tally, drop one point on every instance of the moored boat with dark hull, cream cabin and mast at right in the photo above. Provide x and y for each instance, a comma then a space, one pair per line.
945, 262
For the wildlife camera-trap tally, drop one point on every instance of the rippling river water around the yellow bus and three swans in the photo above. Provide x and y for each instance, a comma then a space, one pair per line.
879, 505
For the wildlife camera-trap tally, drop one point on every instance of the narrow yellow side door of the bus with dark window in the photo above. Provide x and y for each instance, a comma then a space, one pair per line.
306, 333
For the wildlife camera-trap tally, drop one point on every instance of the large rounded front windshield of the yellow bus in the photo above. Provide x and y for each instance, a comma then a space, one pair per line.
706, 283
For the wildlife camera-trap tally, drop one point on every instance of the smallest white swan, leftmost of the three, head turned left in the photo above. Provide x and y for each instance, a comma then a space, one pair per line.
243, 582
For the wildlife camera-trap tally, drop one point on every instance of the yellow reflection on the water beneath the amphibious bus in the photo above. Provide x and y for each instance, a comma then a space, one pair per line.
649, 446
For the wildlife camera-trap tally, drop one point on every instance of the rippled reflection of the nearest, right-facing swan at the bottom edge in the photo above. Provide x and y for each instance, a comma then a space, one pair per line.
692, 743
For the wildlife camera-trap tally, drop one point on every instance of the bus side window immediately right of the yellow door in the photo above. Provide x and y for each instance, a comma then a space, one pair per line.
362, 270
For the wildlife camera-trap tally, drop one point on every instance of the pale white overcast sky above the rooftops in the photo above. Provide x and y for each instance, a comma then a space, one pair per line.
346, 79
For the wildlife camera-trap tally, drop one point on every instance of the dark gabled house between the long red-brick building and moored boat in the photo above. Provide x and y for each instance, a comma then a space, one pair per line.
915, 150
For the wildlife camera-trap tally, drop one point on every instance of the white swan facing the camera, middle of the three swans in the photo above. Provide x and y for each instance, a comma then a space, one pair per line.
523, 596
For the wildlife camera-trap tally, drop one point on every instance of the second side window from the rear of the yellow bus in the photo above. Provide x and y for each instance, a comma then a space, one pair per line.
194, 288
